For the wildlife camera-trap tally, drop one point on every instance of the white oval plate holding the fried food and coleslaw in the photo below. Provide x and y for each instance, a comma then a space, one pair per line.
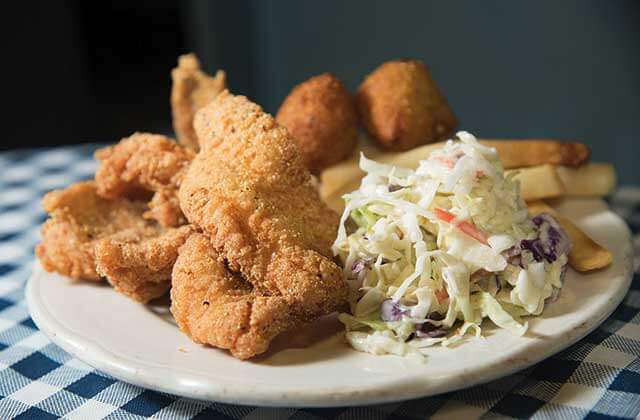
141, 344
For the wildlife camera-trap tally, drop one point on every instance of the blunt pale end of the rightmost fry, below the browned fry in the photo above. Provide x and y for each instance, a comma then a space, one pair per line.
592, 179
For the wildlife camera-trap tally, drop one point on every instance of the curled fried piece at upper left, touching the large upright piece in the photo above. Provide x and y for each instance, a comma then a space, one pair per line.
145, 162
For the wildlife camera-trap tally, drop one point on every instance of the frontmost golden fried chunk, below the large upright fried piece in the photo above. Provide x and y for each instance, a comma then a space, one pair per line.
217, 307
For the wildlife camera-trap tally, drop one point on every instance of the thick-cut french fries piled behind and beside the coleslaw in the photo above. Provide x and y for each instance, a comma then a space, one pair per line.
539, 175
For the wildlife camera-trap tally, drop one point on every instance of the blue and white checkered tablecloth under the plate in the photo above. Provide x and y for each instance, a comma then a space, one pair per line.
597, 378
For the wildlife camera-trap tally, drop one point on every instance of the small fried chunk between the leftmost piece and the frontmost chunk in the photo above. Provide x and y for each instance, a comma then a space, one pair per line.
138, 262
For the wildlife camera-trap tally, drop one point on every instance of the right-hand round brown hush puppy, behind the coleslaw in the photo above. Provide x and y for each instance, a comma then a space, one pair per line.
401, 106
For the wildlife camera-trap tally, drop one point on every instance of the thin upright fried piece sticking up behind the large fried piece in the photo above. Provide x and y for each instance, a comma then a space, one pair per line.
192, 89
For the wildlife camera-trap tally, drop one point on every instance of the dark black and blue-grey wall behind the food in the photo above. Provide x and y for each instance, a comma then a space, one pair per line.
97, 71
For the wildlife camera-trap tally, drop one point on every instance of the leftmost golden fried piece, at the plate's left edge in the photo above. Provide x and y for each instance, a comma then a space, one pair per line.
79, 218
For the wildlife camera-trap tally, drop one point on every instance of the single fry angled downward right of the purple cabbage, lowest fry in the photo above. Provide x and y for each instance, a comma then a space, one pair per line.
586, 254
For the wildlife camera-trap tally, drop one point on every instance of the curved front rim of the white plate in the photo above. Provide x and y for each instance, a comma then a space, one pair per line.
147, 375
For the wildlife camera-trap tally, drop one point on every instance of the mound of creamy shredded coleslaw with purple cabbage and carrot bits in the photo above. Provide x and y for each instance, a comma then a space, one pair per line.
429, 254
